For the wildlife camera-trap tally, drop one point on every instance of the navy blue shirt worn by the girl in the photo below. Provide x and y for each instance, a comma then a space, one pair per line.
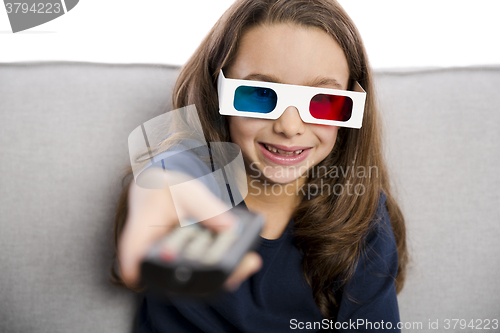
278, 299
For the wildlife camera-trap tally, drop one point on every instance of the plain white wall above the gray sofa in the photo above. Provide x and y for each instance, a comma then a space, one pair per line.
424, 33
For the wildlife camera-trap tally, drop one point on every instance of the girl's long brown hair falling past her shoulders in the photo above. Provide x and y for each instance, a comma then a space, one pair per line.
329, 229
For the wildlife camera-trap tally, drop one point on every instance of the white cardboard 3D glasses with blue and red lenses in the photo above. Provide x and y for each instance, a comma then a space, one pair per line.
268, 100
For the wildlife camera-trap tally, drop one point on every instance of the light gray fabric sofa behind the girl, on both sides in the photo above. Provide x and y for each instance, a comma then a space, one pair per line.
63, 143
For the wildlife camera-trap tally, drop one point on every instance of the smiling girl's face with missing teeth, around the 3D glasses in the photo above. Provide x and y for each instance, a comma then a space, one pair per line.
282, 150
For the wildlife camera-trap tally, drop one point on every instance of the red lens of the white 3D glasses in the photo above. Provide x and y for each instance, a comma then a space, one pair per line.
331, 107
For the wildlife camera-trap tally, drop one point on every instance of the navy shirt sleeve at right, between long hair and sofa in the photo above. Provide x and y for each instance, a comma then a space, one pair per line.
369, 302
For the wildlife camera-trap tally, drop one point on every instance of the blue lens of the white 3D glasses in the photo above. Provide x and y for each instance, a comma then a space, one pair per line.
255, 99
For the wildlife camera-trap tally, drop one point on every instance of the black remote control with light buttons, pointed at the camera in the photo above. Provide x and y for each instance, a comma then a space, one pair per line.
195, 261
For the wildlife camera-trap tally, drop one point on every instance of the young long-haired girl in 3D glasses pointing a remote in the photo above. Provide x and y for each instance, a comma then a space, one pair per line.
333, 250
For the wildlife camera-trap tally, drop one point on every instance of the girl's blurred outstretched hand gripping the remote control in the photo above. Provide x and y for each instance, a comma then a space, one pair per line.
151, 215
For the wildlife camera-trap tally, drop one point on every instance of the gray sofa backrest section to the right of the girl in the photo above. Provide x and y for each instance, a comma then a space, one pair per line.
443, 146
